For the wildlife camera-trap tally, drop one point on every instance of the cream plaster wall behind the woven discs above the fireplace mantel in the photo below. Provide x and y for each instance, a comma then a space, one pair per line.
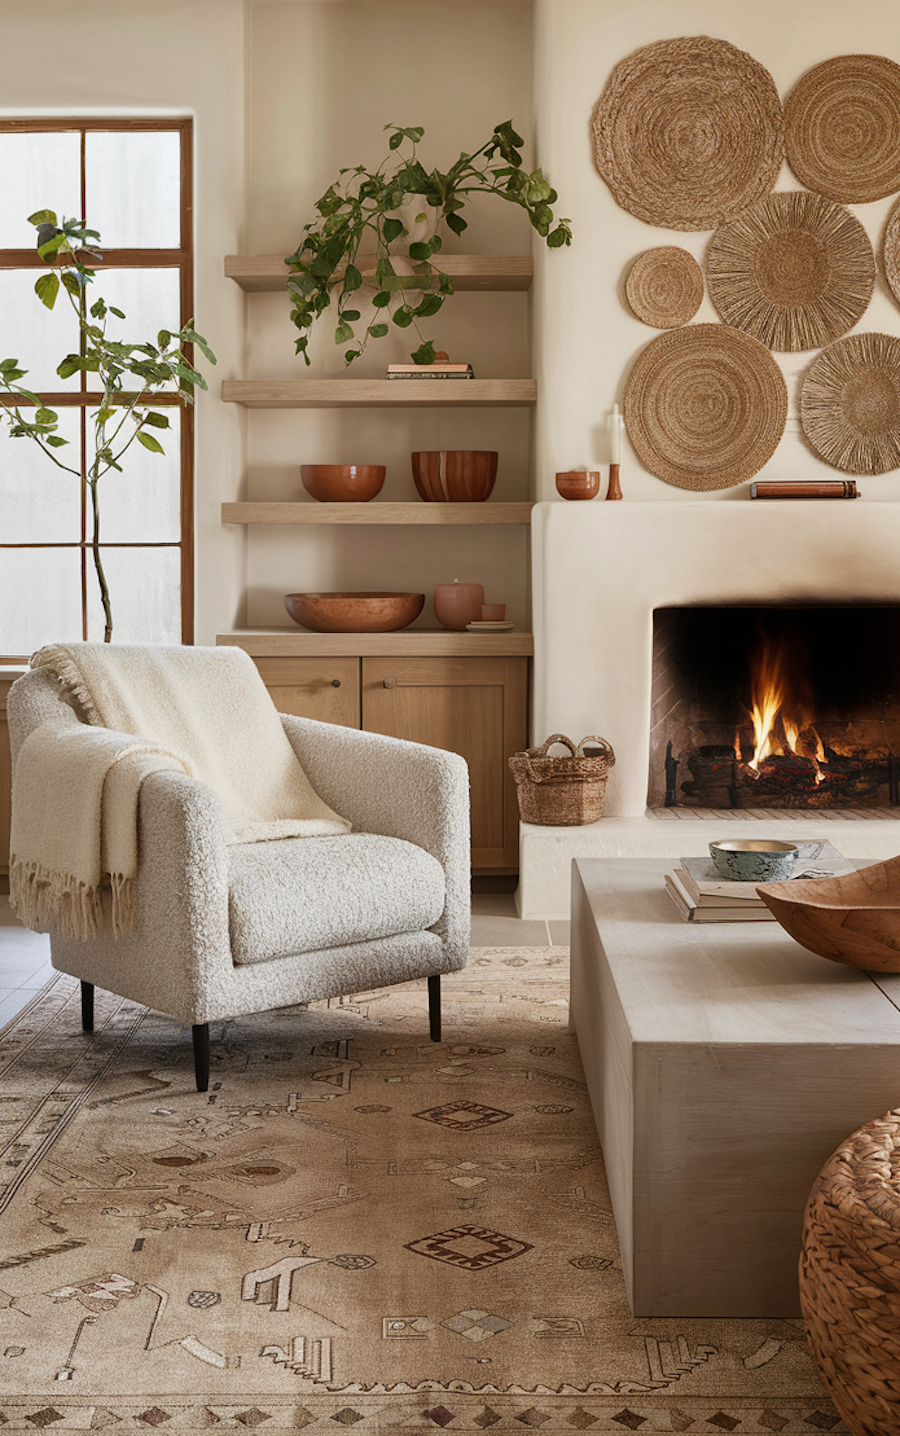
586, 338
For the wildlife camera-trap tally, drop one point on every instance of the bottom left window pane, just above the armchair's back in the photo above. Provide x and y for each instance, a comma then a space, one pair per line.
41, 598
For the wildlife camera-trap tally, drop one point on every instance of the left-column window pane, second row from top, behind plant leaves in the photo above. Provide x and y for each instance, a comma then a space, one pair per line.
39, 338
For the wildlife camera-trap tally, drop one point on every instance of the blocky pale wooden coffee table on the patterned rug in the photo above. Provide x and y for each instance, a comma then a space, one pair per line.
726, 1063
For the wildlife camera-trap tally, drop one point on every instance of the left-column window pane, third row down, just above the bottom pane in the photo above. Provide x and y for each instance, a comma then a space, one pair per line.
41, 503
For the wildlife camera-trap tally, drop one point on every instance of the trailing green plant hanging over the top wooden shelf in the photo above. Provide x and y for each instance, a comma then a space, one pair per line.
358, 218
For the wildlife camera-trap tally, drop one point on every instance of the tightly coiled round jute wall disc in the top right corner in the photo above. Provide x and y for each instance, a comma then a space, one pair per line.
843, 129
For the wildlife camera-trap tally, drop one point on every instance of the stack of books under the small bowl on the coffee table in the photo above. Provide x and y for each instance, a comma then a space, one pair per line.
703, 895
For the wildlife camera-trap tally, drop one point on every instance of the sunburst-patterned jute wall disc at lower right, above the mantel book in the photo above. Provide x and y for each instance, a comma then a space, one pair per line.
850, 404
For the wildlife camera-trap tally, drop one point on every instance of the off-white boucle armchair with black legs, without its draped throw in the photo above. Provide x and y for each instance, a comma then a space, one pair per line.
222, 931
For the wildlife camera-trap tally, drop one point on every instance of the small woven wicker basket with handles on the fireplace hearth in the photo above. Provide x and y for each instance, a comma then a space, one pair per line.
563, 792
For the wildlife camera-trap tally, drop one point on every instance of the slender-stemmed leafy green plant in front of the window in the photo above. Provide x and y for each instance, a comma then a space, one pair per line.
126, 413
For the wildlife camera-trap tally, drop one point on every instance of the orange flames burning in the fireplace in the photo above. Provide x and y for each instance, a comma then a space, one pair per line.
780, 709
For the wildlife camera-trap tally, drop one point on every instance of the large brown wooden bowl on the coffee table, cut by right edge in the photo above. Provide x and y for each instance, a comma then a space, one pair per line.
853, 920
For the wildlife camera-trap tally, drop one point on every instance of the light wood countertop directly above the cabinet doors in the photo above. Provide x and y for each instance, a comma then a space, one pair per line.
404, 644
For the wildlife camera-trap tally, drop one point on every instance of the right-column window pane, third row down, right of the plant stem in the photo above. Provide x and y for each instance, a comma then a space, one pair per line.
143, 505
